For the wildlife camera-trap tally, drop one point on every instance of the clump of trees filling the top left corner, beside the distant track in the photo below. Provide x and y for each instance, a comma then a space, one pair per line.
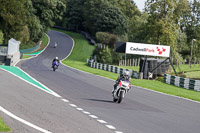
26, 20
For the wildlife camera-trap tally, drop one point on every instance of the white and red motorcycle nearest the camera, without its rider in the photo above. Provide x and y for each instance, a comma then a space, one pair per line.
121, 90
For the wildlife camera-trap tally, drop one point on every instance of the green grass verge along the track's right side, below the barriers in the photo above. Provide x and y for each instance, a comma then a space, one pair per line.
83, 48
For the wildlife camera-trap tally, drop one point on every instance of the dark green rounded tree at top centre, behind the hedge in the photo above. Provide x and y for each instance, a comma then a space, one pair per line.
107, 18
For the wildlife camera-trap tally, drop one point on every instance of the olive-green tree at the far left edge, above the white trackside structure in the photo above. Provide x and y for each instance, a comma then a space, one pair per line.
12, 19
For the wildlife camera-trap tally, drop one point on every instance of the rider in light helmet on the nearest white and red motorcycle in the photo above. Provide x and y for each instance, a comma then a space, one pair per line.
124, 76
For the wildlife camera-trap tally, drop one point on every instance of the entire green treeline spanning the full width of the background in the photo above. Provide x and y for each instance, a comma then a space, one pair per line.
166, 22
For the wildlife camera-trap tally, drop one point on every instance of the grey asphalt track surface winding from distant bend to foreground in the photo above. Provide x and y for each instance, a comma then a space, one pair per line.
142, 111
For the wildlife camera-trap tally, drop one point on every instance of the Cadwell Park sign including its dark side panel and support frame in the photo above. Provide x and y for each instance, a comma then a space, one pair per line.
146, 50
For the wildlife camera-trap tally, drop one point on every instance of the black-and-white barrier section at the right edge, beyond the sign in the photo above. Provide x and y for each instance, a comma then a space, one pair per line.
182, 82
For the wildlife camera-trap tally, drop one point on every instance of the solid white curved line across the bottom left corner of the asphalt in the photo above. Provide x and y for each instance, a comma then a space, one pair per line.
23, 121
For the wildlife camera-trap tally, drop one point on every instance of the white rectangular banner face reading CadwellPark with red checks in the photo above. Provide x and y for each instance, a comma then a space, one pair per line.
147, 49
